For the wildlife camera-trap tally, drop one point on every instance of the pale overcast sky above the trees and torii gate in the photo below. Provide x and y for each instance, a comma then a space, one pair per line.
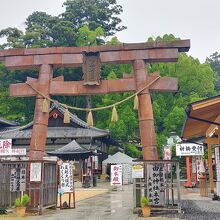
197, 20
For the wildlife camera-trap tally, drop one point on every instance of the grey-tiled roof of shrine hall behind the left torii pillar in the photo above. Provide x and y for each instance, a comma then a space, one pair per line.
59, 134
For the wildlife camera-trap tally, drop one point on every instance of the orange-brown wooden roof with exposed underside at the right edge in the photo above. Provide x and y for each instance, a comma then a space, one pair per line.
202, 118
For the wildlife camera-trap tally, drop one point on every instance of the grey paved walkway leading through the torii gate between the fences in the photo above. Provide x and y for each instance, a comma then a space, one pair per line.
117, 205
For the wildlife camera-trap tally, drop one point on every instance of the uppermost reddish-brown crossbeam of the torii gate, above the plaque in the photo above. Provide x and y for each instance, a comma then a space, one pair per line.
159, 51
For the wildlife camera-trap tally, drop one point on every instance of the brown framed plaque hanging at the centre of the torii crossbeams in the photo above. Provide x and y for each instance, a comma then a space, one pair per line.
91, 68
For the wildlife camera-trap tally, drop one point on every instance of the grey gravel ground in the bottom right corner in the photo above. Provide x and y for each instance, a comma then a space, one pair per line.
199, 210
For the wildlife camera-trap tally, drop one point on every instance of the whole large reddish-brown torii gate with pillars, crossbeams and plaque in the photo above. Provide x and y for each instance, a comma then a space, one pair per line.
91, 57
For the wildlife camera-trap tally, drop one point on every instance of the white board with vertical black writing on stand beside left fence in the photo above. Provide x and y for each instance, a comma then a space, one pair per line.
66, 177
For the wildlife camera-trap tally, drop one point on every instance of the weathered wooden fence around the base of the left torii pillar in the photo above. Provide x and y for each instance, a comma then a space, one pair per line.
47, 189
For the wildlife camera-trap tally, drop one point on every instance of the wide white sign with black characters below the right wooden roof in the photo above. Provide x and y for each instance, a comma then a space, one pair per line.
189, 149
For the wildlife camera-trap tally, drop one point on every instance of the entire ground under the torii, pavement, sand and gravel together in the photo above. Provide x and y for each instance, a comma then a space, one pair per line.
104, 204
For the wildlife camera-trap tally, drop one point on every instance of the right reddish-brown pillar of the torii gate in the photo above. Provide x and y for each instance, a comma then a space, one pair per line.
146, 119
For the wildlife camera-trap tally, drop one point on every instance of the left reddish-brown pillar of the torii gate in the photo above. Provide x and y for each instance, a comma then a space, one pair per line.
39, 131
